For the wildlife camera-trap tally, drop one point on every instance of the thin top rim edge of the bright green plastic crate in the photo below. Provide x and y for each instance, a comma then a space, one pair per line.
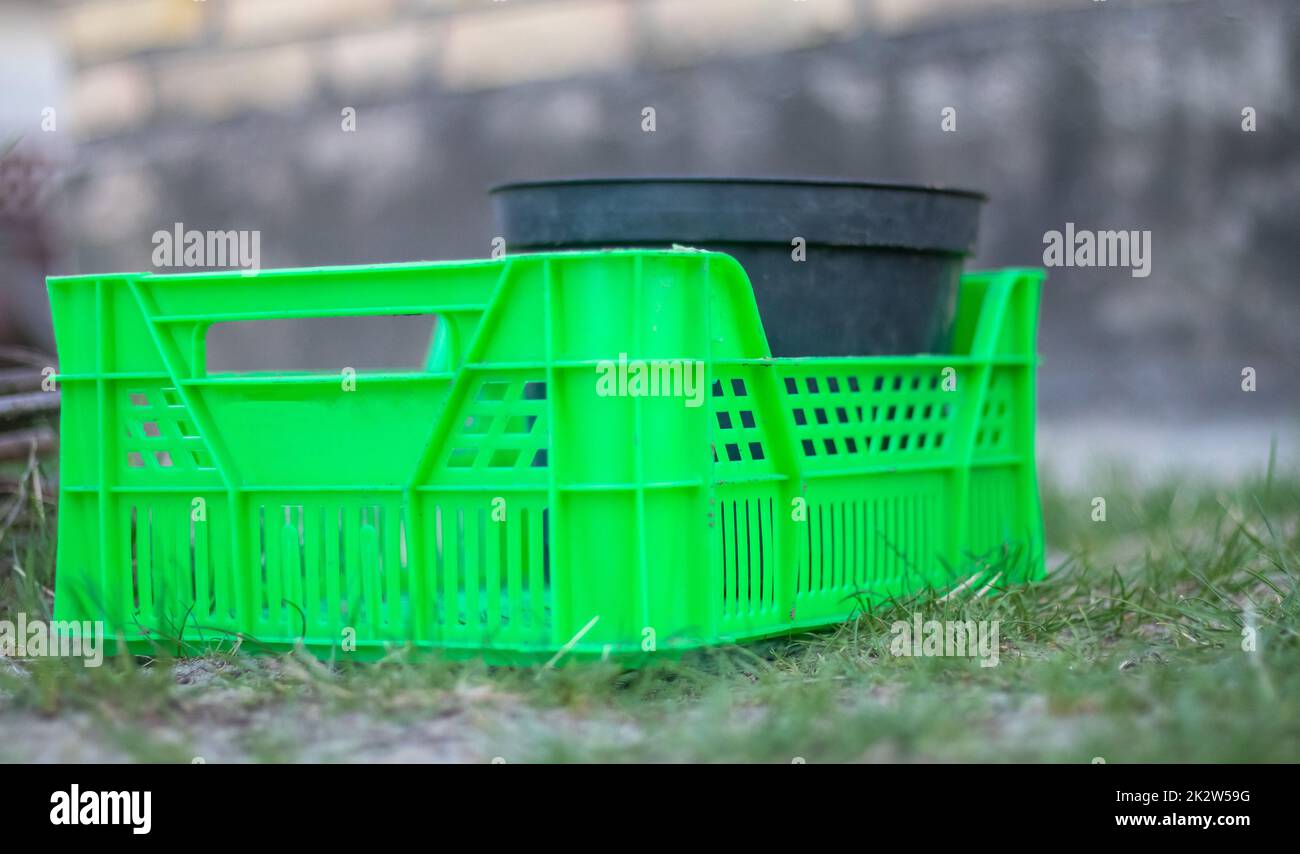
396, 267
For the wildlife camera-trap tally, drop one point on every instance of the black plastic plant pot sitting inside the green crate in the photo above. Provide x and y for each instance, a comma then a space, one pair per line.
882, 261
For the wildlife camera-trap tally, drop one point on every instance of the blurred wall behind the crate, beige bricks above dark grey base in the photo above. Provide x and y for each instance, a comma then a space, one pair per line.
1111, 115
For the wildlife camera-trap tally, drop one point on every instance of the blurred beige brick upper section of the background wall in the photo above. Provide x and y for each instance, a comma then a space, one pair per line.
149, 60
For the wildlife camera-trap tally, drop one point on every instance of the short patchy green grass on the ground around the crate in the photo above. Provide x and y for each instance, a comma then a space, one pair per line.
1132, 652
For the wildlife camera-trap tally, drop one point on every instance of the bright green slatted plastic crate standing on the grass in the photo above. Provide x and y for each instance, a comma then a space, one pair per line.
496, 504
